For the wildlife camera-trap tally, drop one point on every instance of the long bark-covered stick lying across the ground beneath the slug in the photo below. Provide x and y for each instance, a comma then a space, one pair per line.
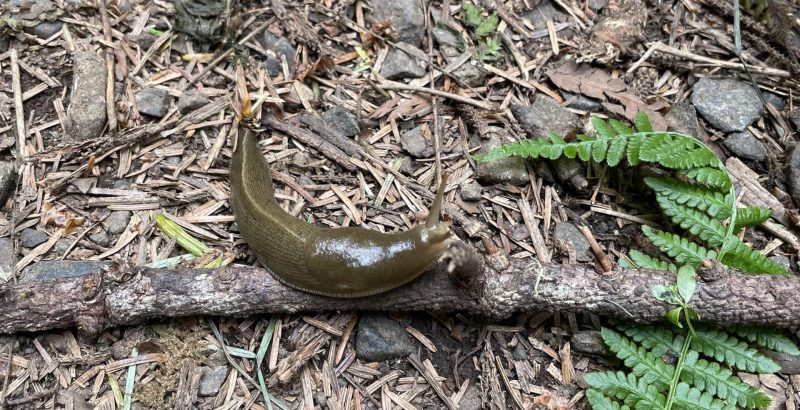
125, 296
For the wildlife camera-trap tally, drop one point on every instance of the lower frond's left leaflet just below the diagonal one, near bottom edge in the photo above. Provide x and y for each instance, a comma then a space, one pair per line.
632, 391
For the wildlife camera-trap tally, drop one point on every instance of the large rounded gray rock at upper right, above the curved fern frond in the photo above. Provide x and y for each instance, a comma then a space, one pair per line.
729, 105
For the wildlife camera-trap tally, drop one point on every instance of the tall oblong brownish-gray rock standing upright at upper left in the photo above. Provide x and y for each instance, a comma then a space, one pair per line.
86, 113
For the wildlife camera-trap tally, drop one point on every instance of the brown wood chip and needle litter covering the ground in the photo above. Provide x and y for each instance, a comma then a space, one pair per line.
178, 165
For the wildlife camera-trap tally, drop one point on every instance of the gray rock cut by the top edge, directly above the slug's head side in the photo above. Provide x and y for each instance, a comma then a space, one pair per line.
406, 17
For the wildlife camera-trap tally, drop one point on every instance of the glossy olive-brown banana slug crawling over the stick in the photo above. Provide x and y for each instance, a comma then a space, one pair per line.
339, 262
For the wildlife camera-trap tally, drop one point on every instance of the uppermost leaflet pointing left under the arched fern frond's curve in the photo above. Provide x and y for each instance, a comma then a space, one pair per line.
715, 204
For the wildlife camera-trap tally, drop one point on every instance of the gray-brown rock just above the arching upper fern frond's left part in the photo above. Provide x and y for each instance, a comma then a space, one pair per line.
543, 116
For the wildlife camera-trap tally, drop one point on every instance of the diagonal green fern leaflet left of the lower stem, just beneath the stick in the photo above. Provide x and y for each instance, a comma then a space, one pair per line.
643, 364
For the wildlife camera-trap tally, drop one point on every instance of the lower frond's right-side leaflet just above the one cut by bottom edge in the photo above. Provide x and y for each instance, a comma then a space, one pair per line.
713, 379
